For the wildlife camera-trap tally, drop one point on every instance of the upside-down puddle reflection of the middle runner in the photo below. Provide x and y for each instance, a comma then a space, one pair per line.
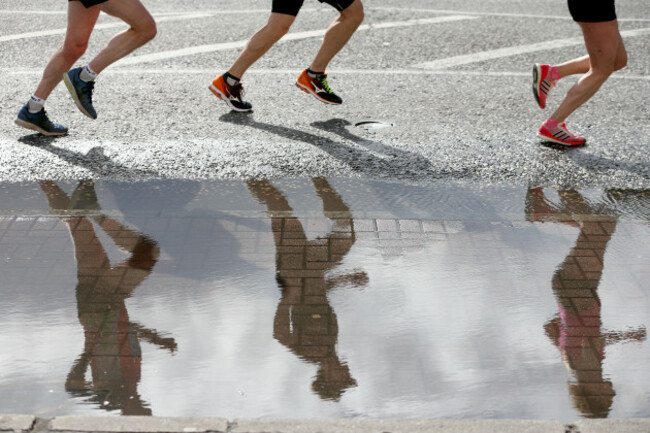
304, 321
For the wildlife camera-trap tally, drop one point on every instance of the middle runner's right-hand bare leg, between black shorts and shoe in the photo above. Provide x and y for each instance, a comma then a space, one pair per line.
338, 34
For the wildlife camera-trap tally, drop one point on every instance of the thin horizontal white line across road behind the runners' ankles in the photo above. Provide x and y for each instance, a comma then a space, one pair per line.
294, 71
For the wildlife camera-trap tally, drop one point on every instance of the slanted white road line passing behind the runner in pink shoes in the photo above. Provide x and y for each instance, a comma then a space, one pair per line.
514, 51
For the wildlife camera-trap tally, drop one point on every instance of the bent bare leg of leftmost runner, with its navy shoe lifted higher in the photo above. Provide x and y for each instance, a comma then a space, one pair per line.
143, 29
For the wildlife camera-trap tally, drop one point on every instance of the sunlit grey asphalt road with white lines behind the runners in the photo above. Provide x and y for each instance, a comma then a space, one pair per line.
450, 79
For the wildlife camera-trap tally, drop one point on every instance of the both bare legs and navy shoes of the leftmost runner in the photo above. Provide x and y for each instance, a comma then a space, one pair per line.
82, 16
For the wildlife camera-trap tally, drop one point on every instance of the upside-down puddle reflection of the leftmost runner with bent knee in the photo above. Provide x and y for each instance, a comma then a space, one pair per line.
112, 347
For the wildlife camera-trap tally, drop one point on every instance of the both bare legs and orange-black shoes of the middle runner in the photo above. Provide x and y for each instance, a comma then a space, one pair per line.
312, 80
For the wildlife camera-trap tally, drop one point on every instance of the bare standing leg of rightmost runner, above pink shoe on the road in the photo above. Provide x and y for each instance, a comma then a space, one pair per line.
606, 54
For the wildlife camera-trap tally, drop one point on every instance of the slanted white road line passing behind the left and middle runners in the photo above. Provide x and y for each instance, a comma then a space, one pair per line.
202, 49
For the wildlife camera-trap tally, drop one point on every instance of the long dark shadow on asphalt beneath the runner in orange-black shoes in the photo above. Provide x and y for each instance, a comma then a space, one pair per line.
368, 157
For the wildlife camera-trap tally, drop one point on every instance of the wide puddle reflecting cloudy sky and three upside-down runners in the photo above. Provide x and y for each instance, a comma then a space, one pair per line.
323, 298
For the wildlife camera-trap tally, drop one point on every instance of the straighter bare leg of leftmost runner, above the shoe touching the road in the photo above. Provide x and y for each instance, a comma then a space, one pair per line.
80, 24
